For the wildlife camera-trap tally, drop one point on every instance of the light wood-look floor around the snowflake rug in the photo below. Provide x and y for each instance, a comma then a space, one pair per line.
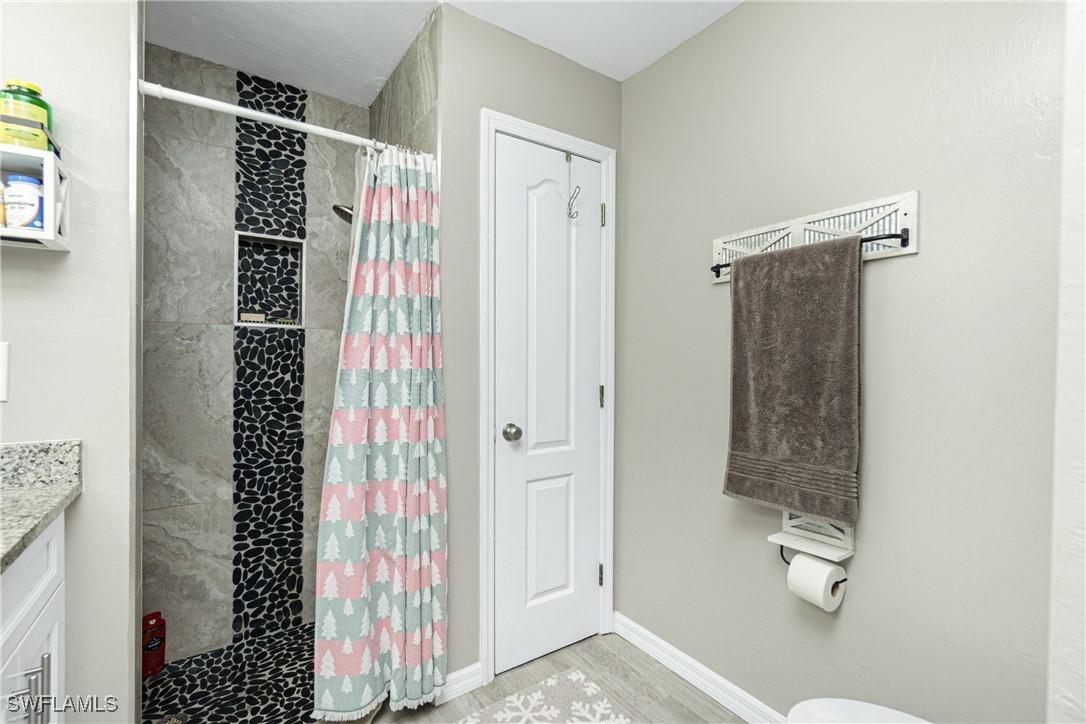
642, 685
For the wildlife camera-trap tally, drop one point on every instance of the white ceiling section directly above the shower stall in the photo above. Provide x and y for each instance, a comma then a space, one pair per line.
347, 50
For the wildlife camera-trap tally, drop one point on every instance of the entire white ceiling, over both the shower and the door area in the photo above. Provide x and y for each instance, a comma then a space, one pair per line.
348, 49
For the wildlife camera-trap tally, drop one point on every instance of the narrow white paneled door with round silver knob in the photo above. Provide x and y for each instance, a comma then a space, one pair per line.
549, 324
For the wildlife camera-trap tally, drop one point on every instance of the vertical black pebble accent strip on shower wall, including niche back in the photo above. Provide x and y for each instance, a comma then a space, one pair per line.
269, 365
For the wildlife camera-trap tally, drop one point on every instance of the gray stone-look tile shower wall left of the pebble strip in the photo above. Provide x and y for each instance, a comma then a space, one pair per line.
188, 369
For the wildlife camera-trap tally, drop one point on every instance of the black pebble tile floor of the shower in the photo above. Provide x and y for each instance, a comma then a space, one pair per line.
266, 680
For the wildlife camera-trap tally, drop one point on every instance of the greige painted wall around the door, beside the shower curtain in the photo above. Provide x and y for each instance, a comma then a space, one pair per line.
484, 67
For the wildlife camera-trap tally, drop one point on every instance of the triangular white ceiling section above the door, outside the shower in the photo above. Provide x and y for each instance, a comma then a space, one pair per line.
617, 40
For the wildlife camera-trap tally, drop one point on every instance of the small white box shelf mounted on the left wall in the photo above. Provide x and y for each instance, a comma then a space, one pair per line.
55, 184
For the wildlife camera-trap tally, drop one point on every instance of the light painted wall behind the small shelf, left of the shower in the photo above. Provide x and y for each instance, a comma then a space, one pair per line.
71, 321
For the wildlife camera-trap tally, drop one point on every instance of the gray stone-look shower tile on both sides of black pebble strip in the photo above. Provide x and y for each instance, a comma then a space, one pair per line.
190, 184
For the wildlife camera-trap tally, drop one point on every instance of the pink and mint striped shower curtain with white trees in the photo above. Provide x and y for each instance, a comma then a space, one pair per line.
381, 608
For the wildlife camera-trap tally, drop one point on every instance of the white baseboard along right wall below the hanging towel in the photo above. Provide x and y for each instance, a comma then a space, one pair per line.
701, 677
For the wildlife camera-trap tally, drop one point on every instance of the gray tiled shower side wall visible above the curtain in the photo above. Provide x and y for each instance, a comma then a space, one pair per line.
406, 112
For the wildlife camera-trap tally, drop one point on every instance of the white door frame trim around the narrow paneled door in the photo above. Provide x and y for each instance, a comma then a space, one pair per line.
494, 123
